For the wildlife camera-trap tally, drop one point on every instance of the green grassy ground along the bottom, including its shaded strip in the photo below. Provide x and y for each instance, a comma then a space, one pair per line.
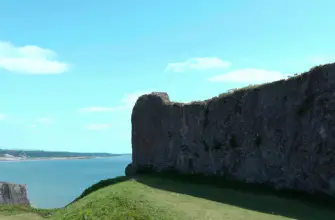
155, 197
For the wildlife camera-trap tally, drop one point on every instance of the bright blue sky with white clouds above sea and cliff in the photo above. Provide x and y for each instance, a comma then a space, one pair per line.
70, 71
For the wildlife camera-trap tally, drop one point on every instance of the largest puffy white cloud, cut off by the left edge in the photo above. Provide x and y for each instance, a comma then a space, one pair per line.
30, 59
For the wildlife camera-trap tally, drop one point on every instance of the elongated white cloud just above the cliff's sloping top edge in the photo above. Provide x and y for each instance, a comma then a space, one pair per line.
248, 76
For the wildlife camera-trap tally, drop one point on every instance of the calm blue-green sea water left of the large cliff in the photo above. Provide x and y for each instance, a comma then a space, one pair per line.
55, 183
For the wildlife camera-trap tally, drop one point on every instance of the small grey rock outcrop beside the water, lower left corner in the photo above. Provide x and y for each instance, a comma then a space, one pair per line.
13, 194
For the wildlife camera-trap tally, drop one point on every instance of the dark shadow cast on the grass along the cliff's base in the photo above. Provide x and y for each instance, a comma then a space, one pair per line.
287, 203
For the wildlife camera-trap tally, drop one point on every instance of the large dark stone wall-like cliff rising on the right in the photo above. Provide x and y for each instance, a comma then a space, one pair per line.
281, 133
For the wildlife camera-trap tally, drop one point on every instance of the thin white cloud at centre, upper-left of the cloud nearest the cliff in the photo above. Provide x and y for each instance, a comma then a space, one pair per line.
198, 64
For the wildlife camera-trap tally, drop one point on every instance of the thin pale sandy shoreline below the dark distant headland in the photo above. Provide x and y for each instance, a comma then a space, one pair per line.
18, 159
